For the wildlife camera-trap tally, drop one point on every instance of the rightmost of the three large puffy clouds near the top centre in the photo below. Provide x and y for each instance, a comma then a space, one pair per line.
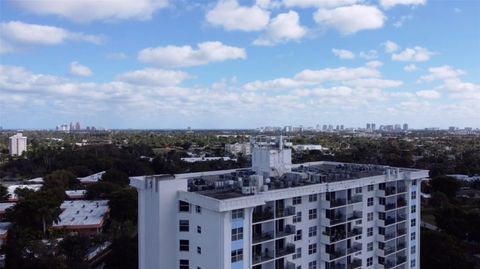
351, 19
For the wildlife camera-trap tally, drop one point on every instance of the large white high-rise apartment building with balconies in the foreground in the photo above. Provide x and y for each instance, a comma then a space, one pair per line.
280, 215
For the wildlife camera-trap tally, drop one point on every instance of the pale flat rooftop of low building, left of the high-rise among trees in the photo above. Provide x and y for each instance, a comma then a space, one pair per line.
82, 214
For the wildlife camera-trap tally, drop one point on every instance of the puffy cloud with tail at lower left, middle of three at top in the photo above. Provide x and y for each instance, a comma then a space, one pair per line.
284, 27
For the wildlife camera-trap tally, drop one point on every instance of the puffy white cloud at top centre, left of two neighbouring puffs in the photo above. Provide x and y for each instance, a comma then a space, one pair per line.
231, 16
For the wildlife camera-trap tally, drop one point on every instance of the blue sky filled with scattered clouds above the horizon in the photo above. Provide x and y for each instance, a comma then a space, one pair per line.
239, 64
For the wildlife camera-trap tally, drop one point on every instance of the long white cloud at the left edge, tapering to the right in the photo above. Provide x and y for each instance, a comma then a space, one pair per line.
19, 33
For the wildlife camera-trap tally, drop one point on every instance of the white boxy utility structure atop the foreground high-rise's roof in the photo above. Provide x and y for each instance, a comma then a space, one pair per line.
271, 159
